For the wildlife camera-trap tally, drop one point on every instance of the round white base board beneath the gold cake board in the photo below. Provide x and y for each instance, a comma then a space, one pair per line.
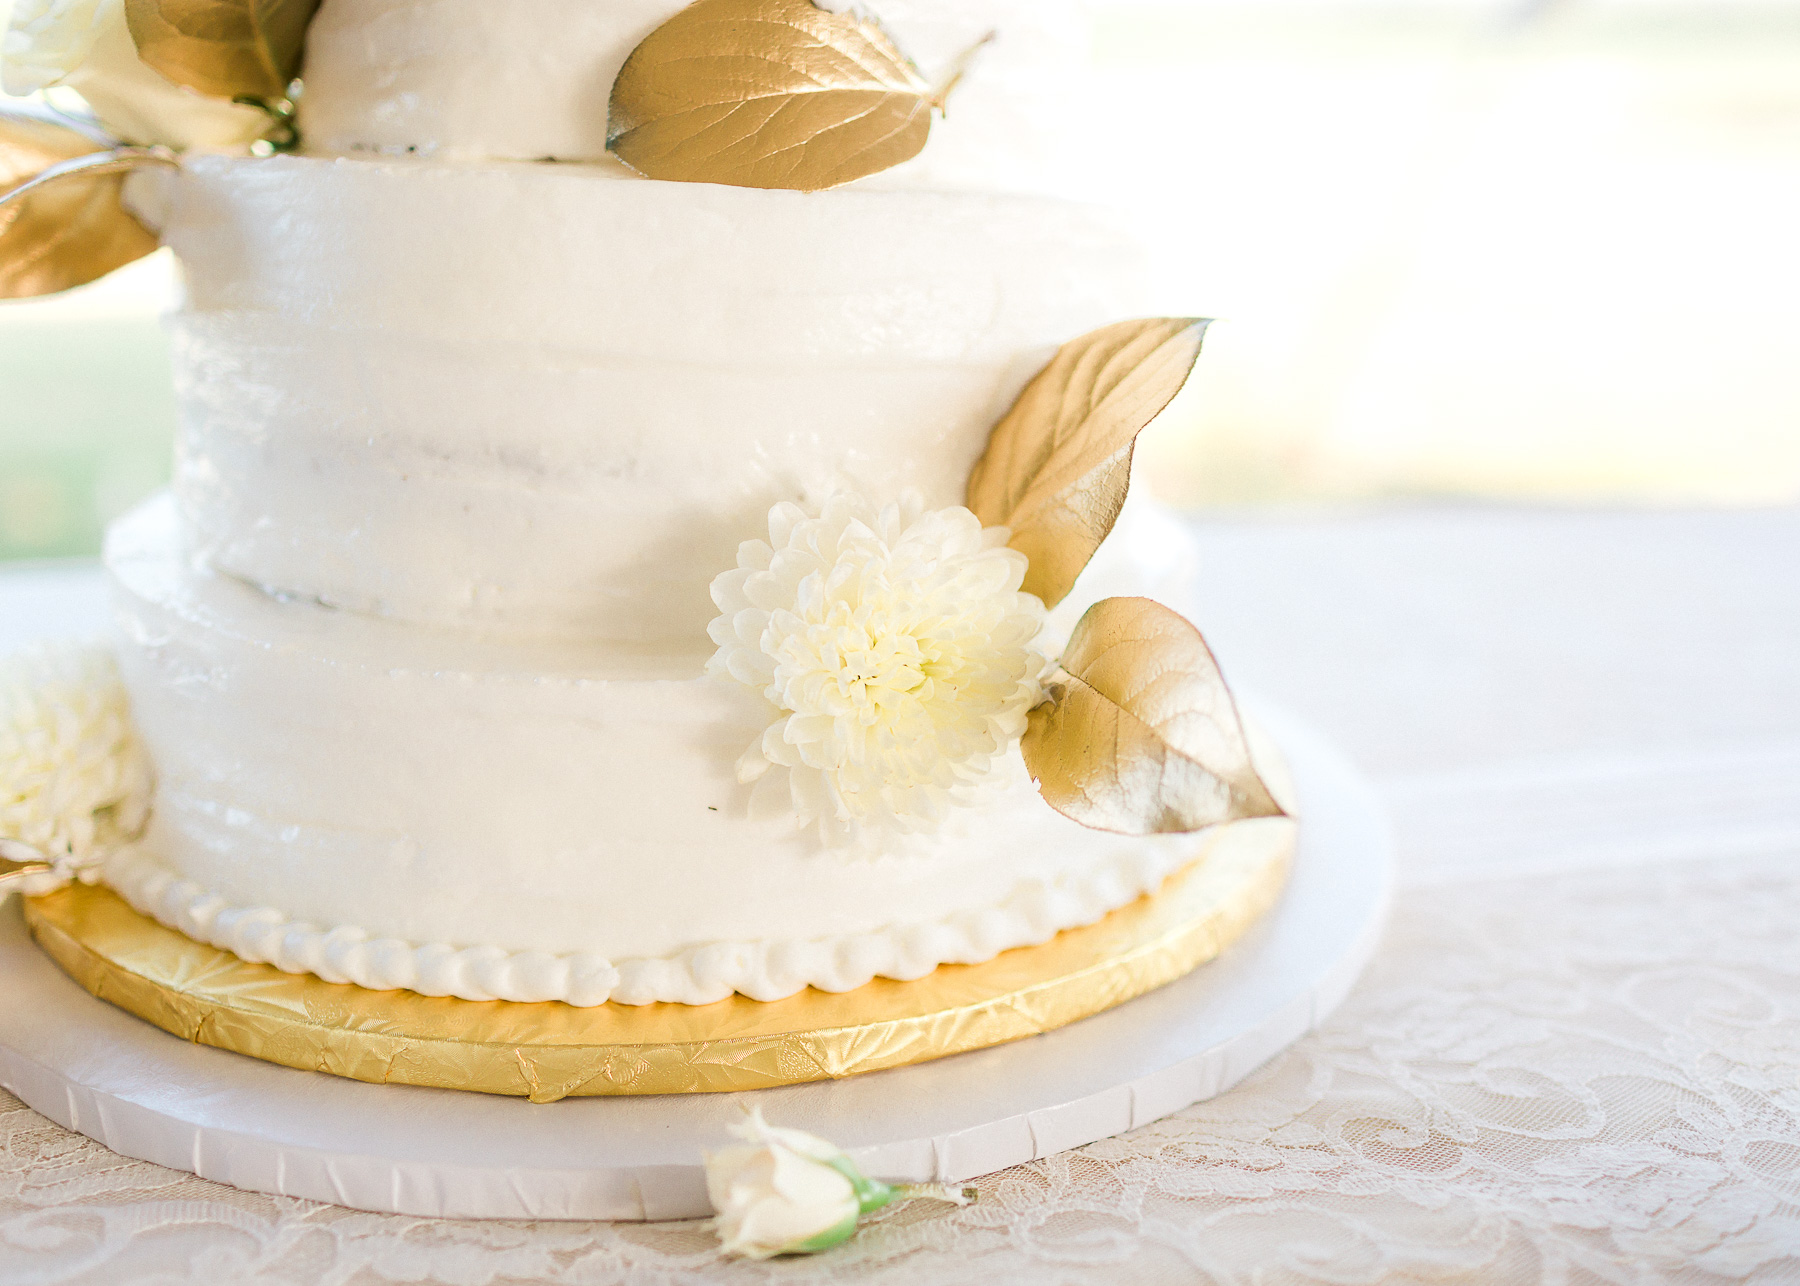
424, 1152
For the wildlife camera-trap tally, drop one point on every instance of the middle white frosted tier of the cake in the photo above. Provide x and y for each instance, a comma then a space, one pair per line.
552, 401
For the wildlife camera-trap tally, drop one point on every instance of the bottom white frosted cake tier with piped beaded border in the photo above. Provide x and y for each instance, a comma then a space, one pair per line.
409, 808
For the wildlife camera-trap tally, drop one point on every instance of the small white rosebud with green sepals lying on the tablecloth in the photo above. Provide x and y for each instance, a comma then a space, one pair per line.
793, 1193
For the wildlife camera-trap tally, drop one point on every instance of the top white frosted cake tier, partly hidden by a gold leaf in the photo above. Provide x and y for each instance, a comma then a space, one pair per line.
530, 80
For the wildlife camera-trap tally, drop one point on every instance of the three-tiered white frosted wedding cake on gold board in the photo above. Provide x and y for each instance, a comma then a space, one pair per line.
564, 593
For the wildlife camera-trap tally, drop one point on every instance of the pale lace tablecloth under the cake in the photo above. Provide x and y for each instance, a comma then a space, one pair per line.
1576, 1058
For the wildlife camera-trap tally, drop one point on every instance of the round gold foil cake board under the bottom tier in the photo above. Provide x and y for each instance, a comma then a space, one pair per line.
553, 1051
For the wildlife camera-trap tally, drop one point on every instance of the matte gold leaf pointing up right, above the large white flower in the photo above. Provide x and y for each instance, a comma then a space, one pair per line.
1059, 464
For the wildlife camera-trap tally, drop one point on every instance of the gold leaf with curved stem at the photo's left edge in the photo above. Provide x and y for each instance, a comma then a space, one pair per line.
62, 219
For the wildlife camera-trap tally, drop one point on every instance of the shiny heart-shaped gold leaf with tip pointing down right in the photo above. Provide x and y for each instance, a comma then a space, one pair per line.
1140, 734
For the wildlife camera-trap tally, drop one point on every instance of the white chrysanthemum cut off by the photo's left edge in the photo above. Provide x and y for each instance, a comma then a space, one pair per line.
75, 781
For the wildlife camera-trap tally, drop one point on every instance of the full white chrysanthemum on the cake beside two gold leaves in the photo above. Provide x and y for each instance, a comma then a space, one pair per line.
895, 646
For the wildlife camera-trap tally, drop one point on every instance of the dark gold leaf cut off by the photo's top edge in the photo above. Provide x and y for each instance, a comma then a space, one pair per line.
231, 50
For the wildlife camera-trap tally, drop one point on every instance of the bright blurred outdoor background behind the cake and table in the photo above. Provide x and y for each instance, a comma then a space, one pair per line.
1516, 251
